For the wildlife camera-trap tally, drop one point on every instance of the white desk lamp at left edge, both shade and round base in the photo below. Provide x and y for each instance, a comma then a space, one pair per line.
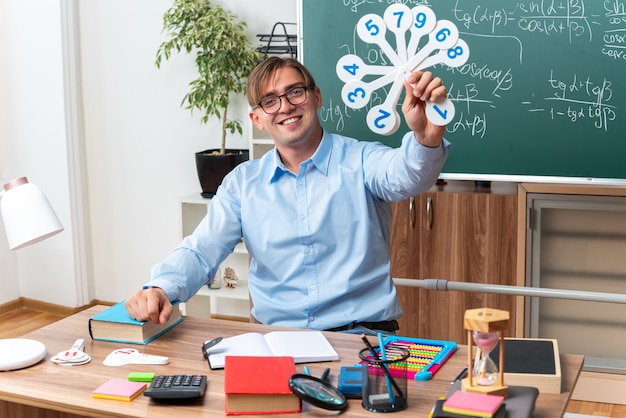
28, 218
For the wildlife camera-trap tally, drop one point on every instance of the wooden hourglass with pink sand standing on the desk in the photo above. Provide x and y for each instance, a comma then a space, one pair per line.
485, 327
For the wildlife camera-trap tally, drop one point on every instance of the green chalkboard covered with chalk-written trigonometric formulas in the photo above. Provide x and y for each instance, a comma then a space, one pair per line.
541, 98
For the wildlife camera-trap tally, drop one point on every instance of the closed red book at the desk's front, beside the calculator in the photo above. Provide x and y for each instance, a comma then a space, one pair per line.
259, 385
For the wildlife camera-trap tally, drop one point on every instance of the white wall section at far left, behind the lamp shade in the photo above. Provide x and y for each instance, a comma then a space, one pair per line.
33, 144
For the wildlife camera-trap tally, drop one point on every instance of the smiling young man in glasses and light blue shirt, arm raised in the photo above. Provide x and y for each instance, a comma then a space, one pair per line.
314, 213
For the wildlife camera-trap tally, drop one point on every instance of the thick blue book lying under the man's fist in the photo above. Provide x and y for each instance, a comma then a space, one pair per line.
114, 324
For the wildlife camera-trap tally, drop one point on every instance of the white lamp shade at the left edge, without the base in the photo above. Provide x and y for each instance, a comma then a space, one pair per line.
27, 214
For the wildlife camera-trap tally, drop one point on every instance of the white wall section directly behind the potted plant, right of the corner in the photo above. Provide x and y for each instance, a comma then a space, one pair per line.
141, 143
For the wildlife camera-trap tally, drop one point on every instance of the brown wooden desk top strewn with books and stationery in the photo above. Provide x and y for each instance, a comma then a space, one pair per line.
49, 390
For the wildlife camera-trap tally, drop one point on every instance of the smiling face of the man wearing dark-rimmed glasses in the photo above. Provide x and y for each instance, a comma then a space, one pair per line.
291, 124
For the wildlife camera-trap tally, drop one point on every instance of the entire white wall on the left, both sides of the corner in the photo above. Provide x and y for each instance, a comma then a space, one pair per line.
139, 143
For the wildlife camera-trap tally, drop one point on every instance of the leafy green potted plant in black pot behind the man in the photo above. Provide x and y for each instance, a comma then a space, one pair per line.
224, 57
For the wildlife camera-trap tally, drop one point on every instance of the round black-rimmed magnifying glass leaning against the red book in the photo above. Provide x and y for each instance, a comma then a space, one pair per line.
317, 392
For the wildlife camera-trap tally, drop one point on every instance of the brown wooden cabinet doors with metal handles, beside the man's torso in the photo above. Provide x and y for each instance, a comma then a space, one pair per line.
458, 236
